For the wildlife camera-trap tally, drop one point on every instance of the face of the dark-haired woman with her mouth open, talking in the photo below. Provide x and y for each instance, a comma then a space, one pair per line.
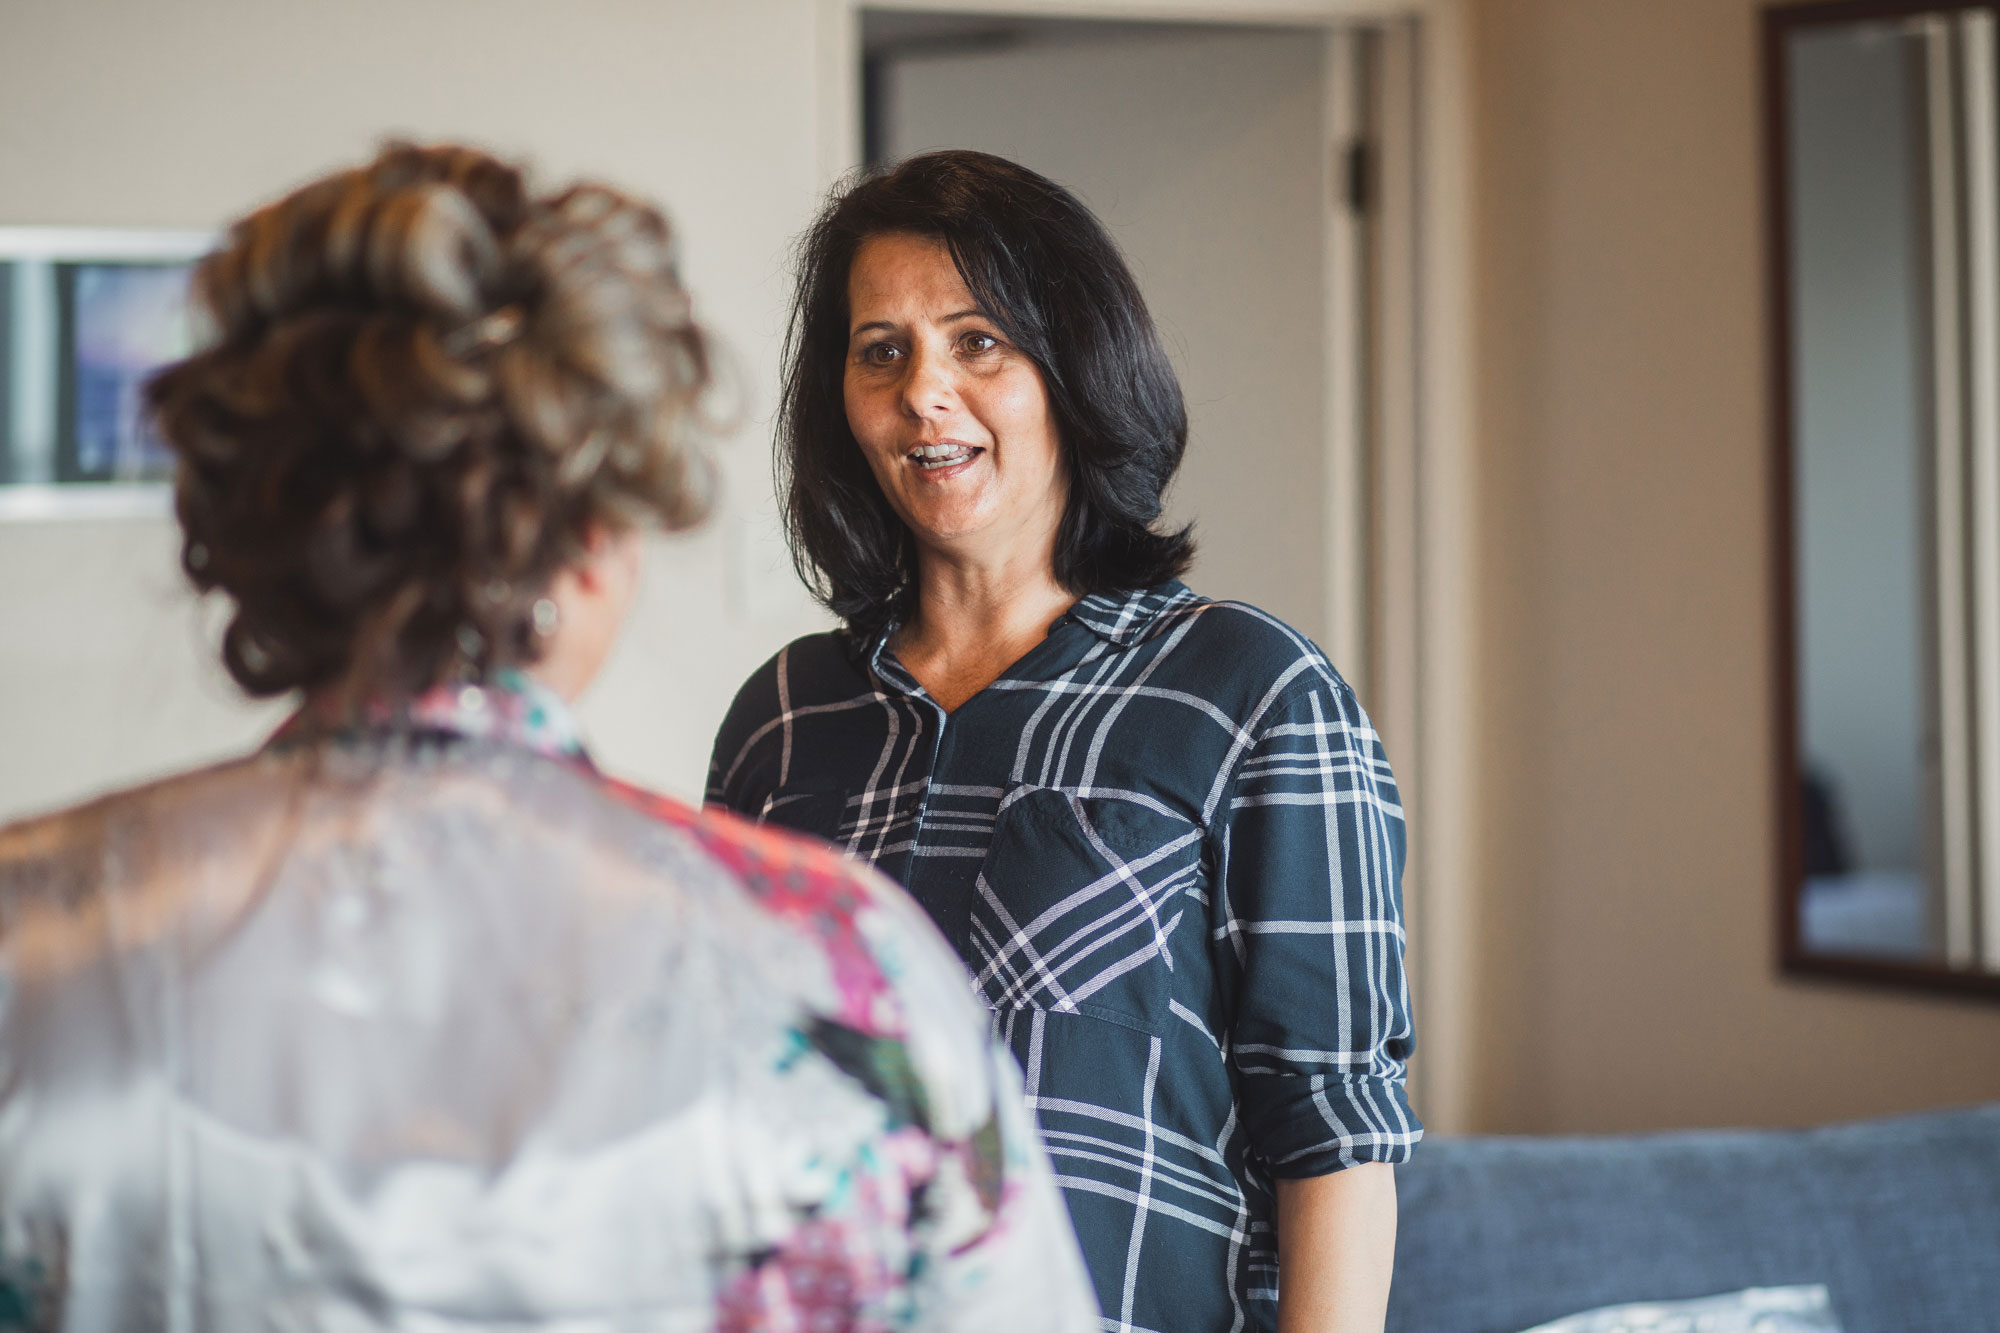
955, 419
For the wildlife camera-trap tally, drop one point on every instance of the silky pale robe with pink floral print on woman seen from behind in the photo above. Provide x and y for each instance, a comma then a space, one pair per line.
421, 1024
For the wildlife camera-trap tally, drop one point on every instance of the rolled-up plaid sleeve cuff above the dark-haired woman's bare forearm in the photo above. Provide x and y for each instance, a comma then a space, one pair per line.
1321, 1124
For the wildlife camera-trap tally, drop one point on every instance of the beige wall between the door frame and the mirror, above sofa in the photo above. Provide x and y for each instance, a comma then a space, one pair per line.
1625, 722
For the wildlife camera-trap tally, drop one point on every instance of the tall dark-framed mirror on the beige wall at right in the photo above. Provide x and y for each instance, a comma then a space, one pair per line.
1887, 245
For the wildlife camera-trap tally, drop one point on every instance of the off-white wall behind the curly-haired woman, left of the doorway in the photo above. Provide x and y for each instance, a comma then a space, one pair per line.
147, 115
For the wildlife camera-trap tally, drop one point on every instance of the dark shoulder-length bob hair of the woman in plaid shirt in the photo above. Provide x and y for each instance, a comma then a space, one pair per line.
1049, 275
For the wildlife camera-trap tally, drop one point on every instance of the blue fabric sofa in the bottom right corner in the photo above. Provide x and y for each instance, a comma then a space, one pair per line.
1899, 1218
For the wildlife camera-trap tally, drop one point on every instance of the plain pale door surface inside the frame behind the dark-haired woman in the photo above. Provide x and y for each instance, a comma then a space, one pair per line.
1205, 157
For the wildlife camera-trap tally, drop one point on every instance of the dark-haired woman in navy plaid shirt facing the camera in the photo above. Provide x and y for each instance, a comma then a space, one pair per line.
1159, 830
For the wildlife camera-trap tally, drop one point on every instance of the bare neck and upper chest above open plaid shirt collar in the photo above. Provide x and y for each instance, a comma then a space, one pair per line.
975, 621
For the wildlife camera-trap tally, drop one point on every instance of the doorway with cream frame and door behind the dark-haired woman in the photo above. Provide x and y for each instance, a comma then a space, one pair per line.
1293, 201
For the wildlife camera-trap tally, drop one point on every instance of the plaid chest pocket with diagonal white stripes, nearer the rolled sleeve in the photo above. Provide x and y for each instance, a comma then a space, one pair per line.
1077, 906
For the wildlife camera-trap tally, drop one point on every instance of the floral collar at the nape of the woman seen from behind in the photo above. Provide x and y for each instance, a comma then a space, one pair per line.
511, 708
